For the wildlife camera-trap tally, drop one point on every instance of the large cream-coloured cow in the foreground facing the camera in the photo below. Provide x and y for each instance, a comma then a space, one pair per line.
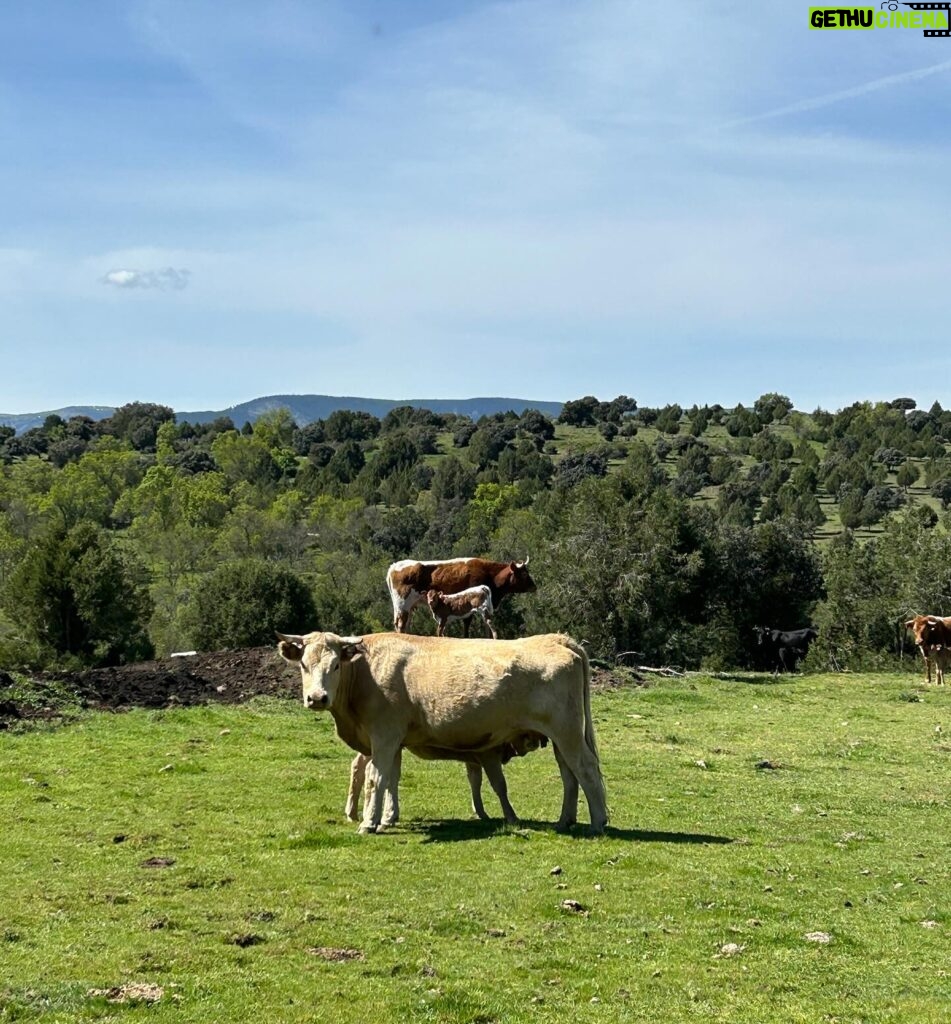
454, 699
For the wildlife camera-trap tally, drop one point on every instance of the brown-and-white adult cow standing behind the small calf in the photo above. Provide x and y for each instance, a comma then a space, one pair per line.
409, 581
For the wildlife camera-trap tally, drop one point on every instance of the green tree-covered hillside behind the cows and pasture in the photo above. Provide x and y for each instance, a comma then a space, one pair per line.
659, 535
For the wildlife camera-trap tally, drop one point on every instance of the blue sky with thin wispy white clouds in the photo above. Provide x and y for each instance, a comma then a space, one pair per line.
204, 203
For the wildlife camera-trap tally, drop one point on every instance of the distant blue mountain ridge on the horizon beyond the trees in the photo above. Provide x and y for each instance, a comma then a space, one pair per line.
305, 409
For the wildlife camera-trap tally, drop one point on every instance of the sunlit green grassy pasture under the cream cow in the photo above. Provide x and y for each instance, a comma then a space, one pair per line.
204, 851
